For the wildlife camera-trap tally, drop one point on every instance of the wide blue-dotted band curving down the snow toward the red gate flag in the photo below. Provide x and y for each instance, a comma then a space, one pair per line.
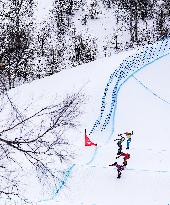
127, 68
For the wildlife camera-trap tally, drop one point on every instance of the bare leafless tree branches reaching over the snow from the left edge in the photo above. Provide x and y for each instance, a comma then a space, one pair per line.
37, 138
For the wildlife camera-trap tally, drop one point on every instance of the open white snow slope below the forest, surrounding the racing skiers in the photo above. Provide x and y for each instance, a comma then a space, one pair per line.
142, 104
